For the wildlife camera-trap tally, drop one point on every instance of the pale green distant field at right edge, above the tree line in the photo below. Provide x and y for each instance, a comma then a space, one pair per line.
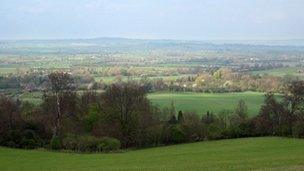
294, 71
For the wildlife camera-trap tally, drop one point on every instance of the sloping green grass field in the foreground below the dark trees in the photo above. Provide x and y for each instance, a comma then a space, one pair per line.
270, 153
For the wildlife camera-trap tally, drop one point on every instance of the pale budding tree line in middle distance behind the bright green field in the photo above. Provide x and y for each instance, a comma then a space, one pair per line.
214, 80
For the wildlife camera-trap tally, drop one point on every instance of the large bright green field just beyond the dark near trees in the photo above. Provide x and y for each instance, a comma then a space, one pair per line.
203, 102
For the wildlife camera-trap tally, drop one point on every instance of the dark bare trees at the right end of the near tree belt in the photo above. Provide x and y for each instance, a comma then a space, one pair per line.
285, 117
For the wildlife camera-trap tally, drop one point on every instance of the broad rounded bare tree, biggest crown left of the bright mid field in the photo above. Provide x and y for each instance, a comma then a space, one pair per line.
126, 106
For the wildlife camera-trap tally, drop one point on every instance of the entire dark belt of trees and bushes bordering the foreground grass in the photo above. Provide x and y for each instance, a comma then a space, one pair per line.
123, 117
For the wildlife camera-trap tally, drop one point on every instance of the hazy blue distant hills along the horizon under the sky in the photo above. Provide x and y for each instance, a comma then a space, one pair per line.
99, 45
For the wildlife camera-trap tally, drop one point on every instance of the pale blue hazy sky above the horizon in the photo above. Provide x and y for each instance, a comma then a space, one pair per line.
152, 19
